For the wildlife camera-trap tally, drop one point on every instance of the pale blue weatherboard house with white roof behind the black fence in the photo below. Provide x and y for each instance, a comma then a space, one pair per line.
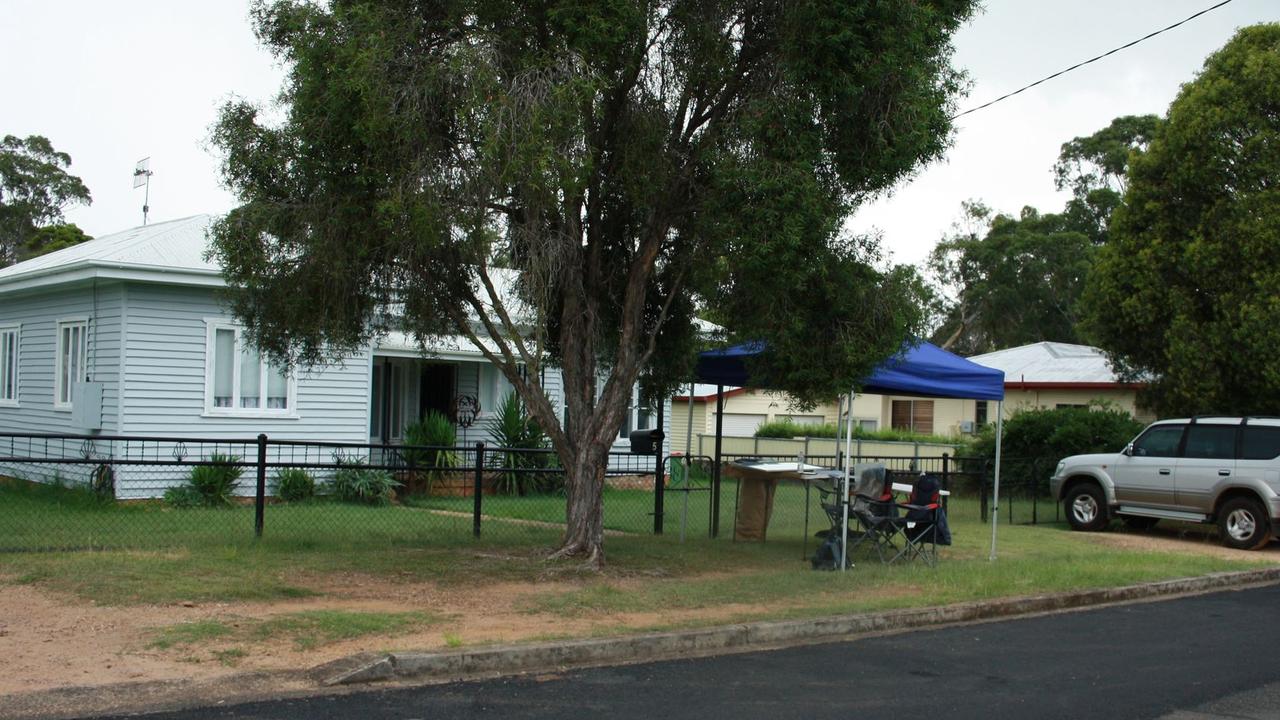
126, 335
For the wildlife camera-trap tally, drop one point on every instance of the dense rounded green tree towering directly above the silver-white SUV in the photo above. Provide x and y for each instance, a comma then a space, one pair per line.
1187, 293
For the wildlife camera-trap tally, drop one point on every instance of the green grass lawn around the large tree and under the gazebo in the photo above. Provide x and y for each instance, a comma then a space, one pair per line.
152, 555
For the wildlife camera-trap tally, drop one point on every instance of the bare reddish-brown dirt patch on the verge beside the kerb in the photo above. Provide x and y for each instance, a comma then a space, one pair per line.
51, 640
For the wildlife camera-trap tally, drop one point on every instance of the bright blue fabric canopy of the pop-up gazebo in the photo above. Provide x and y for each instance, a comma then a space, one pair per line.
922, 370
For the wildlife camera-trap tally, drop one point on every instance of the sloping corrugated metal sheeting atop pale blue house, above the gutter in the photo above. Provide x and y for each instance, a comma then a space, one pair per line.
173, 245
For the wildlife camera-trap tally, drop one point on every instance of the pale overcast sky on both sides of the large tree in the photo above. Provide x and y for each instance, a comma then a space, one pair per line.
115, 83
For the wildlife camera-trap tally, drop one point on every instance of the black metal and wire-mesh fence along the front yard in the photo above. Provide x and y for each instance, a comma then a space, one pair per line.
102, 491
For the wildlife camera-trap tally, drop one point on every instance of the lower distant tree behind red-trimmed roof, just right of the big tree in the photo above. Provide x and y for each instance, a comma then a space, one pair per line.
1014, 281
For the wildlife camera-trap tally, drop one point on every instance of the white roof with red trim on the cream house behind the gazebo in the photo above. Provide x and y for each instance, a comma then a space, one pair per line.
1052, 363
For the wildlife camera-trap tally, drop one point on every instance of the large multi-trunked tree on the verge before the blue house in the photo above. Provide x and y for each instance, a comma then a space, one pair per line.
625, 162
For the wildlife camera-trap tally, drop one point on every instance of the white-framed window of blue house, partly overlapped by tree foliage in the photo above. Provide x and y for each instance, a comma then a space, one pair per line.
240, 381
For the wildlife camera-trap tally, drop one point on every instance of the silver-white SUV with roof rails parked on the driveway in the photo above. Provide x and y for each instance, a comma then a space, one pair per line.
1205, 470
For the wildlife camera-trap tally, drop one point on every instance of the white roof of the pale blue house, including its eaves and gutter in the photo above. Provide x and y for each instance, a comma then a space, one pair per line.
173, 250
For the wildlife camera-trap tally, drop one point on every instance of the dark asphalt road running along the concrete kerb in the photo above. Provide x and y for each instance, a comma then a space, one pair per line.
1191, 659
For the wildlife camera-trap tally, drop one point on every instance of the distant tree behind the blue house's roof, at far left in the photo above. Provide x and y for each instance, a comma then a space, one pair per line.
35, 189
